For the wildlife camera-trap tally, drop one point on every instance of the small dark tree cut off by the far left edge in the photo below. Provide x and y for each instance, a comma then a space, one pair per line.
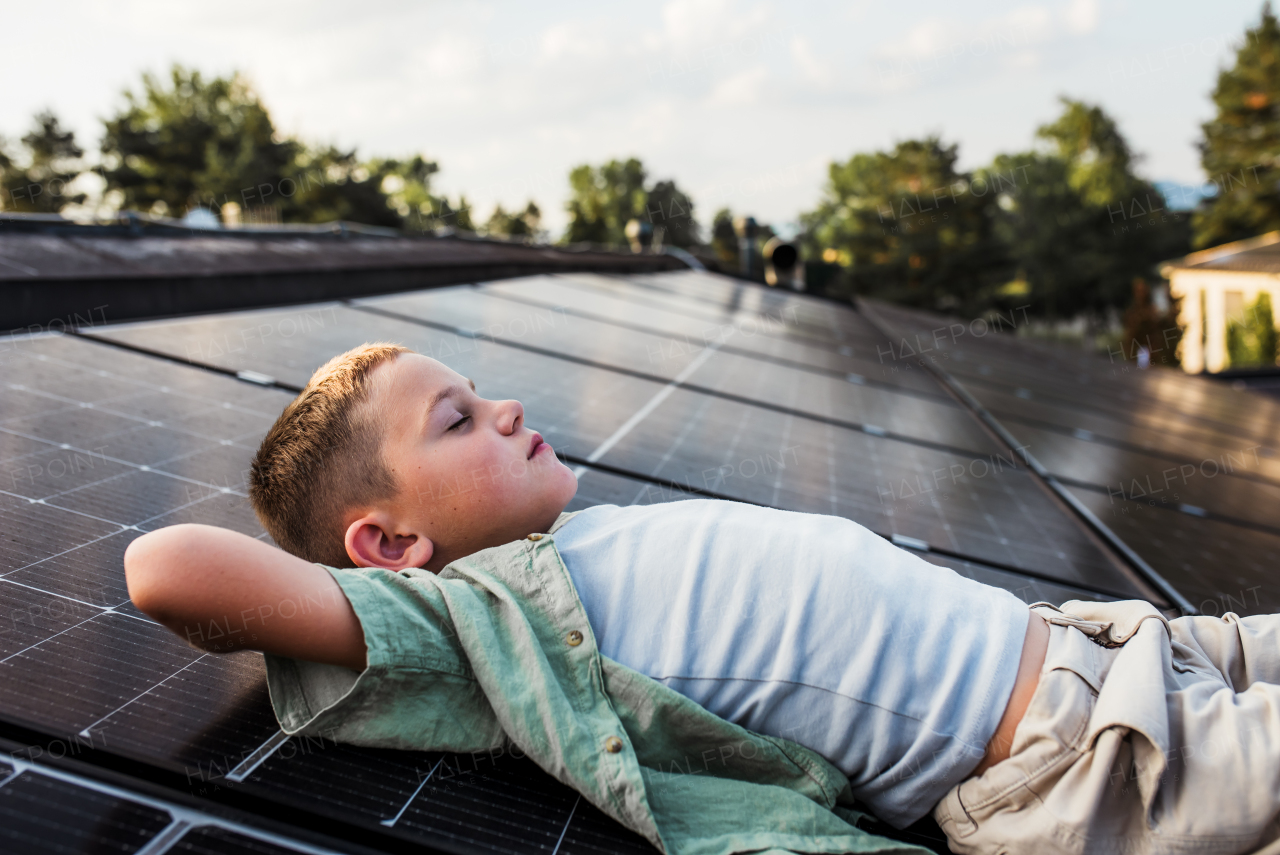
52, 162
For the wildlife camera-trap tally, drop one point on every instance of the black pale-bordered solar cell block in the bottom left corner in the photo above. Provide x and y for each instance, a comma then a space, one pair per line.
42, 816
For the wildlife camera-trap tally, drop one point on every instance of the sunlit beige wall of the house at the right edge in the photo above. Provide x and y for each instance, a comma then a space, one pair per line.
1213, 287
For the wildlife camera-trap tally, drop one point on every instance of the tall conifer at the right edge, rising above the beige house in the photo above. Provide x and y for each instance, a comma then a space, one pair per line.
1241, 145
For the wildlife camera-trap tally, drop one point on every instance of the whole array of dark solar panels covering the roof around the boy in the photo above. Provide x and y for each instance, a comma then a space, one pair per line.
655, 388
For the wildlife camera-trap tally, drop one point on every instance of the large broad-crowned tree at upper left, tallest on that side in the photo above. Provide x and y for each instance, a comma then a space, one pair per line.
194, 143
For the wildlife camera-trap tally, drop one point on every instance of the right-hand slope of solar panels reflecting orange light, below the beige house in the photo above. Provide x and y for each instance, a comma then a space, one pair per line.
1176, 468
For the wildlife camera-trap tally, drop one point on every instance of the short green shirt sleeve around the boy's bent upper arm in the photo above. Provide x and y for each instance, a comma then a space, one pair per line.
417, 692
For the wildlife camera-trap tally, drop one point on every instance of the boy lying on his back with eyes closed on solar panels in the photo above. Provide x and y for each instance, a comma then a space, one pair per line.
716, 676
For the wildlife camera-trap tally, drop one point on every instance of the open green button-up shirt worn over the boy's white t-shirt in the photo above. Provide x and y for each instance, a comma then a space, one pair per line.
496, 653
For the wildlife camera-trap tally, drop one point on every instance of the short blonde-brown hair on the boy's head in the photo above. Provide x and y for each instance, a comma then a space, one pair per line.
322, 458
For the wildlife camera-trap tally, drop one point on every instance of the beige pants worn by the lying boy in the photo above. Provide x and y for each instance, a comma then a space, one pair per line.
1144, 735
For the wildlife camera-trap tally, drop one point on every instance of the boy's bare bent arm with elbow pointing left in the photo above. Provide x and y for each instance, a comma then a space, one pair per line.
222, 591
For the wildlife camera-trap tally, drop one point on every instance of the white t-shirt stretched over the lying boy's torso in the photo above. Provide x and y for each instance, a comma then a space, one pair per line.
808, 628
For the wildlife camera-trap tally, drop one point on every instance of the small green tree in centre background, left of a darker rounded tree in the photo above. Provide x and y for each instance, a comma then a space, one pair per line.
604, 200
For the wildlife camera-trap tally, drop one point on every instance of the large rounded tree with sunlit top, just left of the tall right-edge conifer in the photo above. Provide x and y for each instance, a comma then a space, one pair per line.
1076, 220
